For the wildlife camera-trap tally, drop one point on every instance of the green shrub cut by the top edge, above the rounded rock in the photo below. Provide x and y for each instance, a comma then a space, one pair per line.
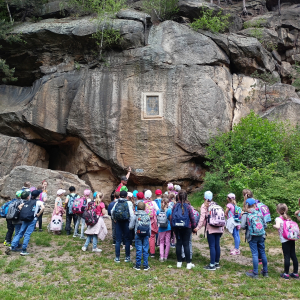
163, 9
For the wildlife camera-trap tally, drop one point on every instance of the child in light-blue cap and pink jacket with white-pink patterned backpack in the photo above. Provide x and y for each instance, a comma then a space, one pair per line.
213, 218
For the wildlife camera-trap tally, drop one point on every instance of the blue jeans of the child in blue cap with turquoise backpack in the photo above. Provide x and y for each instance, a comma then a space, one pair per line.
257, 246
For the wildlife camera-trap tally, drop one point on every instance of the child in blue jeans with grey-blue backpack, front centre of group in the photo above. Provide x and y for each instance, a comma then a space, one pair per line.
142, 227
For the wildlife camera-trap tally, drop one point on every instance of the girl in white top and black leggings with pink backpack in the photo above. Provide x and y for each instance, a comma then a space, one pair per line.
287, 240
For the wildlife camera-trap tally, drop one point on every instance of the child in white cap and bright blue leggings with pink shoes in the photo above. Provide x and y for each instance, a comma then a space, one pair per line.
232, 226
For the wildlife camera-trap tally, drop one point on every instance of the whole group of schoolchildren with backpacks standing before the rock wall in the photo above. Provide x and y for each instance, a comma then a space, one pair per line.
152, 223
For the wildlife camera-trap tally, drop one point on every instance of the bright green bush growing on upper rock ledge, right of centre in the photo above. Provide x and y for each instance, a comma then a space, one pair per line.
212, 22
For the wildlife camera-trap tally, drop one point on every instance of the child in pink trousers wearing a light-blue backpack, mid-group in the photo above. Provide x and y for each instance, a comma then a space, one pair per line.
164, 230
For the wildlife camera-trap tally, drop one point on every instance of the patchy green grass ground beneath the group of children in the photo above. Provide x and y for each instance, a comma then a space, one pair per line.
58, 269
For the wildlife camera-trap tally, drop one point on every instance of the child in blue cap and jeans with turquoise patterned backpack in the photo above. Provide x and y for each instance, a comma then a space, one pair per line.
254, 224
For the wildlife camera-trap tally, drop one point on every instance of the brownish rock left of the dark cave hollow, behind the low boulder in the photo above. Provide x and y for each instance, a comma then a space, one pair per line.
16, 152
